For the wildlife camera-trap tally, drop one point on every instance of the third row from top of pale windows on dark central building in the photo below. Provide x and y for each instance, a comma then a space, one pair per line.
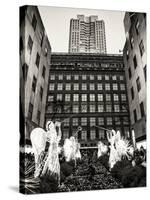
86, 97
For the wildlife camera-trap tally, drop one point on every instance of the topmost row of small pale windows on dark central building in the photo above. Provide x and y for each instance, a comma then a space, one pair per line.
85, 77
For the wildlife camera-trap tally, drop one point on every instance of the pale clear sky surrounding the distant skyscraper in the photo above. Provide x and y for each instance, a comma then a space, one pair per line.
57, 21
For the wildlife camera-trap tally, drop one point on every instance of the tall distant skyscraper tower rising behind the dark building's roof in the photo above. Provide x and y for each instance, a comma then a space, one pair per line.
87, 35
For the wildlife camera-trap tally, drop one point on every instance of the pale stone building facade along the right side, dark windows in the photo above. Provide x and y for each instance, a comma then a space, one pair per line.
134, 55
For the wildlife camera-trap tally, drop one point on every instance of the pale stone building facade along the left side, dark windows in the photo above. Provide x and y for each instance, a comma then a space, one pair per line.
35, 51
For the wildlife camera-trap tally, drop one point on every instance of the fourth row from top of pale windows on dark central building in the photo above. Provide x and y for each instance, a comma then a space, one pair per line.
92, 108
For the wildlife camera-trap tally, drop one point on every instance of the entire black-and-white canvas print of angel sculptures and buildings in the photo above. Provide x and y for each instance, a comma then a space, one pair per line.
83, 80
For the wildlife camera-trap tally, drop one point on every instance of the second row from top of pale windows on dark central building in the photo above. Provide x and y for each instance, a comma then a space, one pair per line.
85, 86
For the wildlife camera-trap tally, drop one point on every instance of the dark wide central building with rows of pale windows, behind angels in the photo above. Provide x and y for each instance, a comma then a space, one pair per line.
87, 91
